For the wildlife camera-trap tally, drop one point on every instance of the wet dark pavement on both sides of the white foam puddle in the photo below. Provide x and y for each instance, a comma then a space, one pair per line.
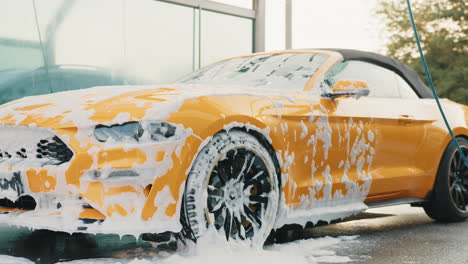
398, 234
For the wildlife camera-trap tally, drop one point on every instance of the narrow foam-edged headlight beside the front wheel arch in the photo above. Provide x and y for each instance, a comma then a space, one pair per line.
134, 131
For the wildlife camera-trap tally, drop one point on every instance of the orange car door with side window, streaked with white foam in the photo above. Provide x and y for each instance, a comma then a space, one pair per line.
339, 153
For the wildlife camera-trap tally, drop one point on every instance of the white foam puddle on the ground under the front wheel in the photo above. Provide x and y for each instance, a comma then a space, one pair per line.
213, 249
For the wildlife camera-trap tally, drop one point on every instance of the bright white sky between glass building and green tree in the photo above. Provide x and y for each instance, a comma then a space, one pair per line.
325, 24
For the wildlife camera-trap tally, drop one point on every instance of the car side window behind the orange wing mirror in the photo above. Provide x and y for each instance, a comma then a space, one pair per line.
382, 82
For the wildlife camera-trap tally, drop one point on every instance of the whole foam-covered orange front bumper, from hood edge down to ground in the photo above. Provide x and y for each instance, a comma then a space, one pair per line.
103, 188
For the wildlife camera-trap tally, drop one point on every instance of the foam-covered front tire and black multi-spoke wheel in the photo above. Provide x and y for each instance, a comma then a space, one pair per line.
233, 188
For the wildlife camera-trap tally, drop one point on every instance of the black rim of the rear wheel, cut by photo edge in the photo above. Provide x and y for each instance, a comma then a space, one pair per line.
458, 180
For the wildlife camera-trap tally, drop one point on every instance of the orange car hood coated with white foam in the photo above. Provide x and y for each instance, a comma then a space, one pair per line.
110, 104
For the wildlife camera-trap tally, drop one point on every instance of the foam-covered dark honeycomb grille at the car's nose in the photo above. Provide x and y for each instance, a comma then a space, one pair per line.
31, 147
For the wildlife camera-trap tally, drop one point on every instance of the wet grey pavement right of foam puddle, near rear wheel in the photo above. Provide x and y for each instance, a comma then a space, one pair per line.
400, 234
